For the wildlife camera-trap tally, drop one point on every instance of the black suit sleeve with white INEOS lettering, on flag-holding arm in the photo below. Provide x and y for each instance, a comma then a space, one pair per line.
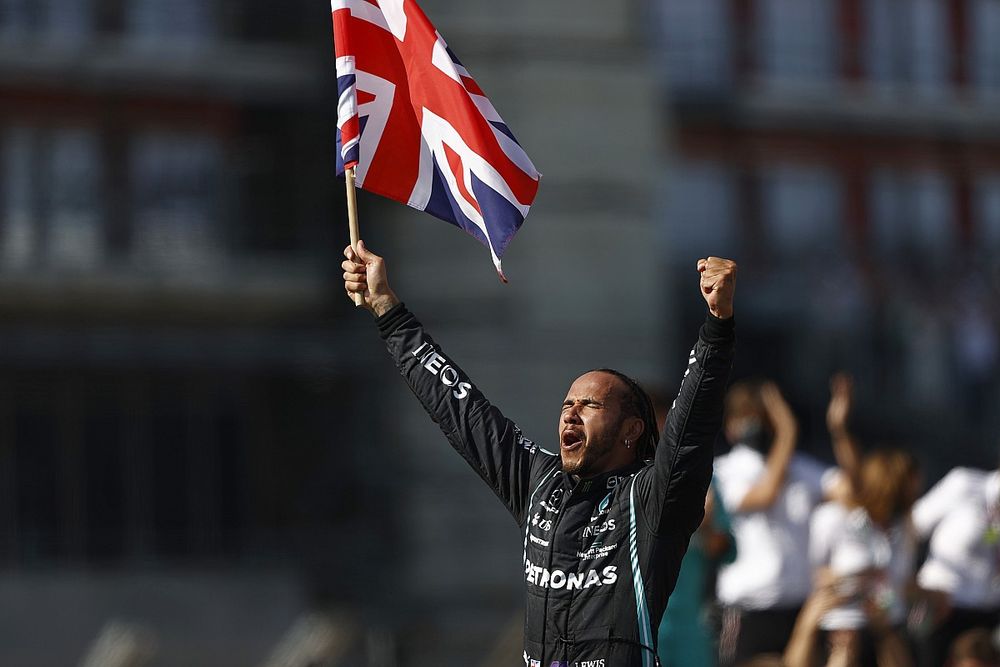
491, 444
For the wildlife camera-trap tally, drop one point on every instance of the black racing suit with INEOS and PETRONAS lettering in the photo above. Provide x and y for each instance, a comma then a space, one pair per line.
601, 555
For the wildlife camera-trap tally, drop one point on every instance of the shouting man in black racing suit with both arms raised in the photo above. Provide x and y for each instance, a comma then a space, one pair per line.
607, 520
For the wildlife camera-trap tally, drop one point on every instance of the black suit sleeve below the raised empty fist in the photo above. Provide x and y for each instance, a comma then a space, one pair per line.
673, 488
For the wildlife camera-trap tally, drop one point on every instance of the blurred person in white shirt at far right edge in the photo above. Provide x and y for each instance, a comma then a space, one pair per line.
961, 517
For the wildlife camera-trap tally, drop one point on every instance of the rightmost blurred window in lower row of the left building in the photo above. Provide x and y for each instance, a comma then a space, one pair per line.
176, 181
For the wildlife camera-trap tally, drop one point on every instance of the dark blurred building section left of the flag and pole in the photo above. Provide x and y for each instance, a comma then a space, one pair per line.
174, 429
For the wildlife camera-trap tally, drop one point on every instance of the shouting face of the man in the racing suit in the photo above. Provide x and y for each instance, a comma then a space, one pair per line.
591, 426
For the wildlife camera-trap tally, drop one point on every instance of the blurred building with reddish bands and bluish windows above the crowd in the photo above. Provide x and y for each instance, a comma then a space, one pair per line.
848, 153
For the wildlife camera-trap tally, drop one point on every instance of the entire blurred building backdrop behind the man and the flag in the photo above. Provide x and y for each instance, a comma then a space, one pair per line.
200, 440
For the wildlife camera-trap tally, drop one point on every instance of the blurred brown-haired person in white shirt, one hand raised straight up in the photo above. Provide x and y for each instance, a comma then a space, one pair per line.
864, 544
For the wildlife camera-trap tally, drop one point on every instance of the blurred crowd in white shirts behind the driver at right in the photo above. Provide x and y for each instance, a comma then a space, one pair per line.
798, 563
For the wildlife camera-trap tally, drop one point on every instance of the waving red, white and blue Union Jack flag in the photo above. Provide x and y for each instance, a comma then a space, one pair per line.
418, 129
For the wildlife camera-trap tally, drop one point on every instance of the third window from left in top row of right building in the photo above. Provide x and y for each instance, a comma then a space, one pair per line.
907, 46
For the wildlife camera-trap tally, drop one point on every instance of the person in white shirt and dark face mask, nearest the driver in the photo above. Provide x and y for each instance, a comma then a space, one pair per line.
770, 492
